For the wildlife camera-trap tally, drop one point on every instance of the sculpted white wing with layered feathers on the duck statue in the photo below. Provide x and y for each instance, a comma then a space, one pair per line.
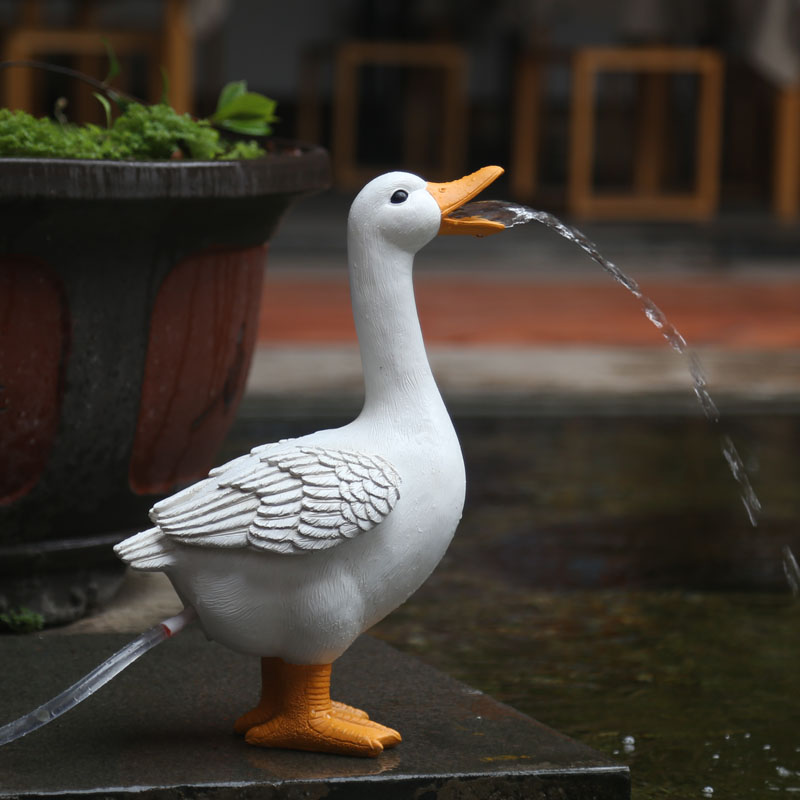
297, 500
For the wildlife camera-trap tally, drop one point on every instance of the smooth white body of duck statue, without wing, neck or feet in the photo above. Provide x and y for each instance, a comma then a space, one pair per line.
308, 608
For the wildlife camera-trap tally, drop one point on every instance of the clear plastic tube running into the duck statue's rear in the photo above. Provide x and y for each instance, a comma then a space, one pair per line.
98, 677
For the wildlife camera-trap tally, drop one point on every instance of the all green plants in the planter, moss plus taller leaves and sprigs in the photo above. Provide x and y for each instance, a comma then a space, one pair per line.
140, 131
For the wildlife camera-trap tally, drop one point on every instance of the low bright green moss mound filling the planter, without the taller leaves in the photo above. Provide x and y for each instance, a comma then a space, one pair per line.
140, 132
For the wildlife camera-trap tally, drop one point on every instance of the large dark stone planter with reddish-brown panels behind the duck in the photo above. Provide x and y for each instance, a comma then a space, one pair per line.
129, 297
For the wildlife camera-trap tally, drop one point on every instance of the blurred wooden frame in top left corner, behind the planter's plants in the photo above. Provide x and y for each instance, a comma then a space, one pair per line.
171, 47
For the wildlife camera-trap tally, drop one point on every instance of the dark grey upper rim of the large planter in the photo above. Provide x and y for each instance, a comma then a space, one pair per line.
294, 169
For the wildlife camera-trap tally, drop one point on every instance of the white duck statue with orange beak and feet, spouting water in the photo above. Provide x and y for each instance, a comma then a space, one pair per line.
293, 550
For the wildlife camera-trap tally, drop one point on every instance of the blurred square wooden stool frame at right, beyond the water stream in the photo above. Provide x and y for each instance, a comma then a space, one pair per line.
646, 201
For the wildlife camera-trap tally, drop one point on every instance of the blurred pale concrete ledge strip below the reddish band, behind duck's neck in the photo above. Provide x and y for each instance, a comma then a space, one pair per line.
501, 370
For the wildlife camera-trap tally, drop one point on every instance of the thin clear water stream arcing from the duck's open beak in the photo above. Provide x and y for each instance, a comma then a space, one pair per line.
512, 214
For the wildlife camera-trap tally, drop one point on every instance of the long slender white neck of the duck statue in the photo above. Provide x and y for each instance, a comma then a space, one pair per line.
397, 377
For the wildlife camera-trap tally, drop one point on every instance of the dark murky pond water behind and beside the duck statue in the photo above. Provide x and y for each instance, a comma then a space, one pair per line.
607, 581
